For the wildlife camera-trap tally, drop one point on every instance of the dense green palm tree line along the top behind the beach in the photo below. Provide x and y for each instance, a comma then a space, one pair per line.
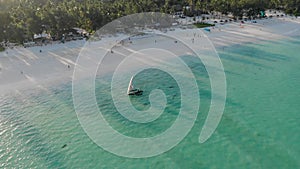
21, 19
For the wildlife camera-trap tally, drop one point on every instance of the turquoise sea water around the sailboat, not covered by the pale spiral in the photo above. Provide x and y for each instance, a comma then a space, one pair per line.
259, 129
